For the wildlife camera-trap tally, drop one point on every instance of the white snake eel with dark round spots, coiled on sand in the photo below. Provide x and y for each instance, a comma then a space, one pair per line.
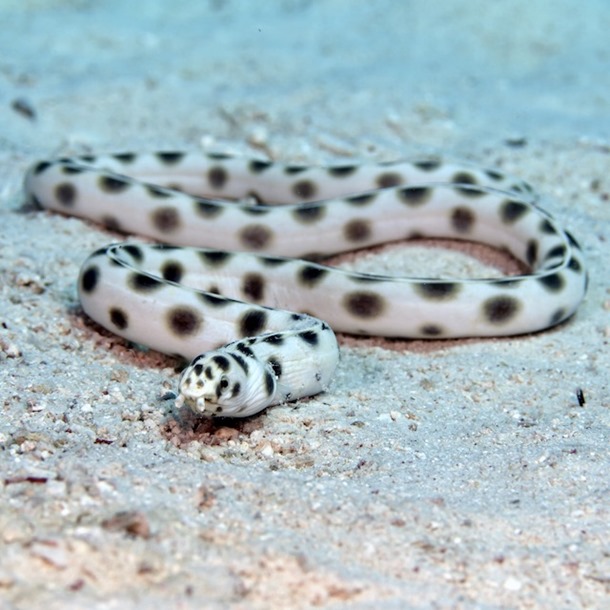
258, 325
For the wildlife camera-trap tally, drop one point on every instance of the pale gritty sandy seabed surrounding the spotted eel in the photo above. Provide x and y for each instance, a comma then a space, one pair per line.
441, 475
